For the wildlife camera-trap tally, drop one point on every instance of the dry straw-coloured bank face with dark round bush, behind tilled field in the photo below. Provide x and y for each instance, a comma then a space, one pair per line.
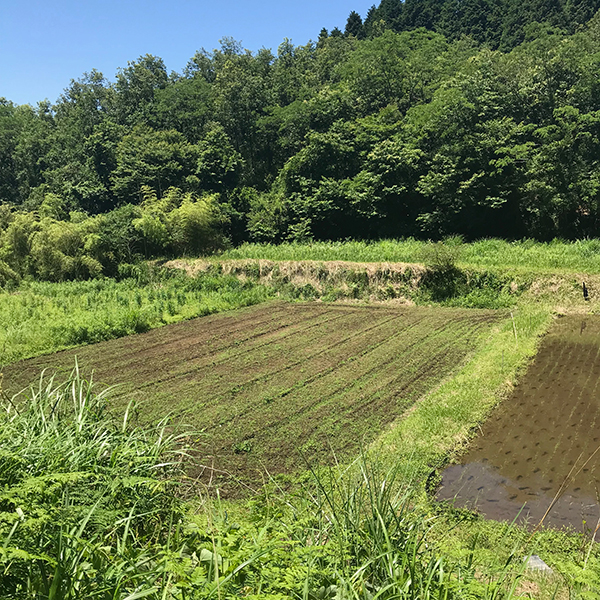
439, 283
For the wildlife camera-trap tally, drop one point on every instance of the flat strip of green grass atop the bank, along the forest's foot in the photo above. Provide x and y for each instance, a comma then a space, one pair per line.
582, 256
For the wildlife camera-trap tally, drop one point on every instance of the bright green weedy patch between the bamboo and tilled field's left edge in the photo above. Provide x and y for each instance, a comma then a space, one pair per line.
39, 318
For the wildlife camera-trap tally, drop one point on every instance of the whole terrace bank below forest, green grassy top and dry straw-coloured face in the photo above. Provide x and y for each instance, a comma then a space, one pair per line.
485, 274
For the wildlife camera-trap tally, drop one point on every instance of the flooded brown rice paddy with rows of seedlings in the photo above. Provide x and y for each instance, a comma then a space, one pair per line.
543, 441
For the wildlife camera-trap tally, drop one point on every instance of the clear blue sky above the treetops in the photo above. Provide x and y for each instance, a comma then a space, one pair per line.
44, 45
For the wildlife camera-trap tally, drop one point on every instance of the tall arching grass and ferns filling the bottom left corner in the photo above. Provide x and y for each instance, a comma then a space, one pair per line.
84, 499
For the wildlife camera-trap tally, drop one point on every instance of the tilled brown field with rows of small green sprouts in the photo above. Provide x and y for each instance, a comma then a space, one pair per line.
274, 384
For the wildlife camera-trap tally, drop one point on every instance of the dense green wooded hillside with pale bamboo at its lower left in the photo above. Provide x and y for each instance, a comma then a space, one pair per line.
427, 119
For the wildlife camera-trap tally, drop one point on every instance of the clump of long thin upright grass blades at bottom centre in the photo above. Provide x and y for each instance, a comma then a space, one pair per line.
382, 539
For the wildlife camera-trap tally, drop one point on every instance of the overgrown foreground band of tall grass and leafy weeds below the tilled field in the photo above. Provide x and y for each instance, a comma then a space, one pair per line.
93, 508
